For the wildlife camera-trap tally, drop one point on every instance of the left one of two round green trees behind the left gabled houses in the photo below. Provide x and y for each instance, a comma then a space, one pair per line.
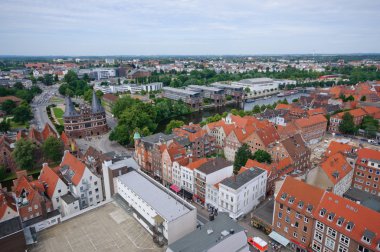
24, 153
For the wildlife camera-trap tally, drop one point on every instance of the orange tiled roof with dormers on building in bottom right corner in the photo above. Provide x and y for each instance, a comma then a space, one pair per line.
363, 218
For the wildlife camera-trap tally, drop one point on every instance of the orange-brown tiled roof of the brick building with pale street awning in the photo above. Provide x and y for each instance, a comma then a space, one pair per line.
300, 191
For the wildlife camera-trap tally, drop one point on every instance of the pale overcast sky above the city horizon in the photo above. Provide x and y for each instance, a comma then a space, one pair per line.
142, 27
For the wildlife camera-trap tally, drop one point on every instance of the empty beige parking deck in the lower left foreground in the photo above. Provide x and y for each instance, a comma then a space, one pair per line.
107, 228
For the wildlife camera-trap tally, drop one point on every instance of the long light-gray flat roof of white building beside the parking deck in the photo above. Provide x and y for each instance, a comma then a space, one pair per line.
155, 195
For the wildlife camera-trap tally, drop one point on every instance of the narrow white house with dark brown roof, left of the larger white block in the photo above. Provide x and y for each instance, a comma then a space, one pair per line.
208, 174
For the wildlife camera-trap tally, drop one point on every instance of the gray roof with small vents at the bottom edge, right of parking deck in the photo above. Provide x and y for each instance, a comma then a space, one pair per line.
202, 239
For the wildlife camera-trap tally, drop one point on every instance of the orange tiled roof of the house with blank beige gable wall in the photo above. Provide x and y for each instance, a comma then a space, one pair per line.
336, 167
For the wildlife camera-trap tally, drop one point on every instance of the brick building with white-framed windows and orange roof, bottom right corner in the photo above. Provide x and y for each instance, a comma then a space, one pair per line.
343, 225
